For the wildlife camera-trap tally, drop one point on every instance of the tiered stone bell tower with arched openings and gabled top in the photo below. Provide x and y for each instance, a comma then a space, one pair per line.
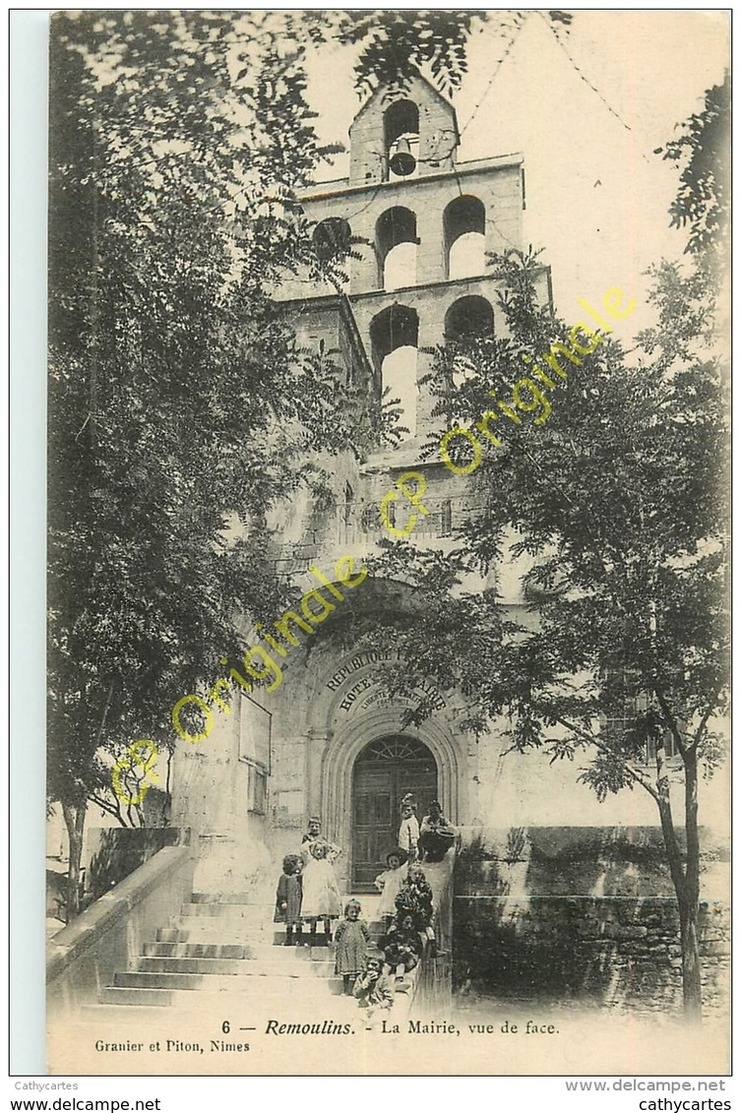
423, 225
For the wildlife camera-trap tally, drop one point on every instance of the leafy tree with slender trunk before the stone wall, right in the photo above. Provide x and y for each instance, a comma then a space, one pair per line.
618, 499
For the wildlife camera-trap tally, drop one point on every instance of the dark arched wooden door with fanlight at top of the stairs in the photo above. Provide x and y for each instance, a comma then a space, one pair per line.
384, 772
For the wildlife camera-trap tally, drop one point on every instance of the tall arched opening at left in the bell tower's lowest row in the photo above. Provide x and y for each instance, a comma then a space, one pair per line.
394, 340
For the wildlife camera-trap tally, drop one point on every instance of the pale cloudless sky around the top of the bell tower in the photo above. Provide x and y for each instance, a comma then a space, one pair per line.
597, 194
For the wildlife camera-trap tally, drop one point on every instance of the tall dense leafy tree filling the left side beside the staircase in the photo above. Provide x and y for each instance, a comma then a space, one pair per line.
181, 407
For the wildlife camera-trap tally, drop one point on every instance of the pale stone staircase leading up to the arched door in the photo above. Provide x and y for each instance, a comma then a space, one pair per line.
221, 943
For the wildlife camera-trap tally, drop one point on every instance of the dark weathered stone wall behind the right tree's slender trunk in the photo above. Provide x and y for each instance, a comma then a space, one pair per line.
582, 917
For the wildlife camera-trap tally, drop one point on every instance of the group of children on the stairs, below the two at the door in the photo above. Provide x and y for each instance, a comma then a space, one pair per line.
308, 892
